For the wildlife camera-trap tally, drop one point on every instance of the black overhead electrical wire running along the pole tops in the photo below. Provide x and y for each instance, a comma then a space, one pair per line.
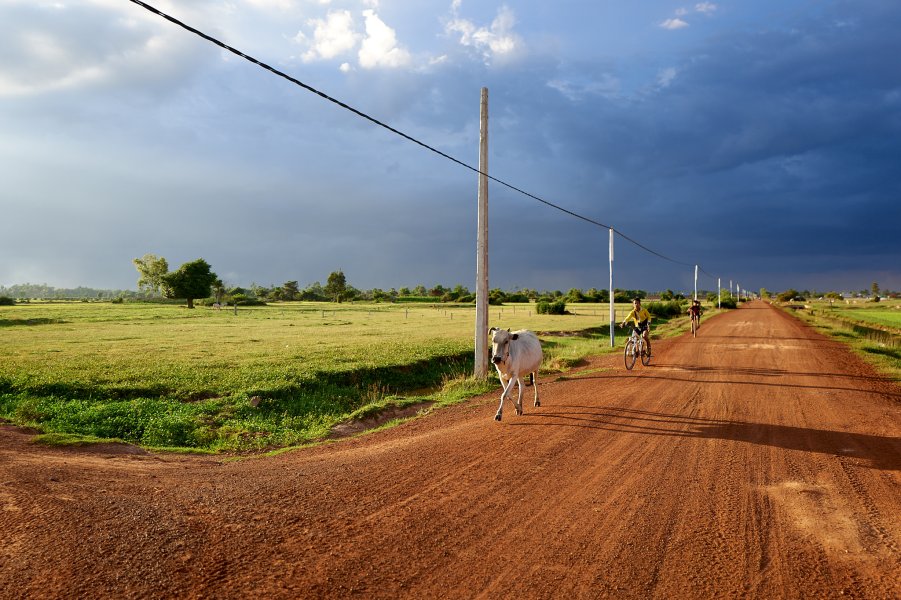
375, 121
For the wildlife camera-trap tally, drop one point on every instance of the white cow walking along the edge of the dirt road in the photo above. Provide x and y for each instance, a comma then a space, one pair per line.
514, 355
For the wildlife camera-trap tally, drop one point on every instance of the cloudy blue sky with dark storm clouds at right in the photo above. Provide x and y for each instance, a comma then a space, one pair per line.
760, 140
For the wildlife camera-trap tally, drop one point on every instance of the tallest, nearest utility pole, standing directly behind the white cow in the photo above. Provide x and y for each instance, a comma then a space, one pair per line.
481, 333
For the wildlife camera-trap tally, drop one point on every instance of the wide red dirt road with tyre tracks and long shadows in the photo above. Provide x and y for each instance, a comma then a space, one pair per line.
759, 460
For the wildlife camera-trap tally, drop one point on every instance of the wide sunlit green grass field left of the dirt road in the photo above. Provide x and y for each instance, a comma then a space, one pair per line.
279, 375
